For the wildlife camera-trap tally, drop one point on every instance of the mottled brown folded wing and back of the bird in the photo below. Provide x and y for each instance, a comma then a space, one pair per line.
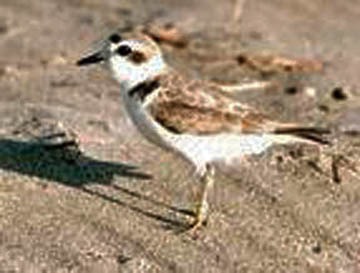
200, 108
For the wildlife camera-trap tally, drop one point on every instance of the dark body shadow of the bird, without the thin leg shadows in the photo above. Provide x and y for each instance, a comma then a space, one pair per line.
64, 165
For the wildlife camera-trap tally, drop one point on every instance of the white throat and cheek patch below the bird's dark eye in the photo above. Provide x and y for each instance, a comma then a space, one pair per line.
129, 74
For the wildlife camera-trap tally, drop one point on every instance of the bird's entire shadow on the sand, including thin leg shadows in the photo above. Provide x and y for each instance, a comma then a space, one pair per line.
69, 166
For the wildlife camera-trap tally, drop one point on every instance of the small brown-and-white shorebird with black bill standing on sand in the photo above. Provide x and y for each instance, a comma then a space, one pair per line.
192, 118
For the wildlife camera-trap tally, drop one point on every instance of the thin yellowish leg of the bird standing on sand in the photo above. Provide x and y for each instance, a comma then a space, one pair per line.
202, 205
